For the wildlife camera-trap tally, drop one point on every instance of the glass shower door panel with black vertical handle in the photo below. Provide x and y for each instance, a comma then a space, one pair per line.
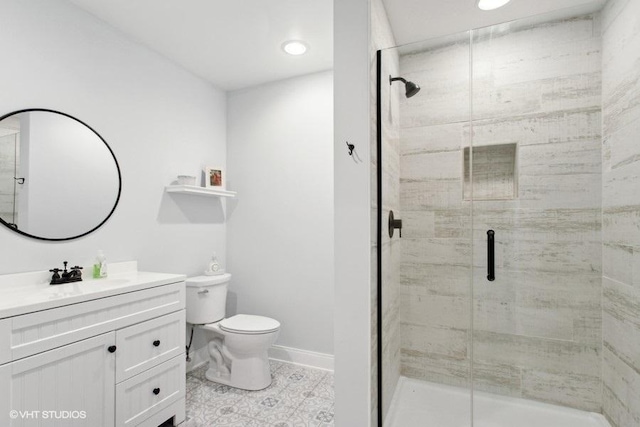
535, 177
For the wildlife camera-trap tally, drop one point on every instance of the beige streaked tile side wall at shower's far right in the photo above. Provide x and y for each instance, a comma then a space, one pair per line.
621, 212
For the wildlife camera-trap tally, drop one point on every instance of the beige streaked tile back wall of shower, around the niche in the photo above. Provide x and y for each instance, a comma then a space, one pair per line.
538, 326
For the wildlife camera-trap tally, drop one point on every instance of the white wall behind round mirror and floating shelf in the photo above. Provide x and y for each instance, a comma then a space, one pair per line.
159, 120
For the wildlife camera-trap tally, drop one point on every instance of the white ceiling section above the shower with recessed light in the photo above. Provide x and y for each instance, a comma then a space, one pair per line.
417, 20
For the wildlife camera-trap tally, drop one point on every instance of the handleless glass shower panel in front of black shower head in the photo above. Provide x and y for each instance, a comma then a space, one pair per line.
425, 294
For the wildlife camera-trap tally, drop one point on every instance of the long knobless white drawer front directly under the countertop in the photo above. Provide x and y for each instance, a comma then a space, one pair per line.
36, 332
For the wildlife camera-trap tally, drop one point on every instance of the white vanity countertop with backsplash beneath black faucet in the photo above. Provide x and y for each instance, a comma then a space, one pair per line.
23, 293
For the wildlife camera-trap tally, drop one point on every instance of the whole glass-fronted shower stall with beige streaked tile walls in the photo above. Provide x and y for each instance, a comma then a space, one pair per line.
506, 295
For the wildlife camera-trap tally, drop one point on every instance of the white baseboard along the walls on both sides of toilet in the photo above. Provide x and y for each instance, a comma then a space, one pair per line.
276, 352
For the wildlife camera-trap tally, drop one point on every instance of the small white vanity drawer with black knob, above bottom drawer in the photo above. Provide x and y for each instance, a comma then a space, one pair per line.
147, 344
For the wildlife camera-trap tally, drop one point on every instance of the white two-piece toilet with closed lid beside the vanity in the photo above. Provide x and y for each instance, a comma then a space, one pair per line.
238, 345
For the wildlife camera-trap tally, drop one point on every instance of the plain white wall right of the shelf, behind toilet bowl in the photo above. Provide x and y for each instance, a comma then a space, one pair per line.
280, 244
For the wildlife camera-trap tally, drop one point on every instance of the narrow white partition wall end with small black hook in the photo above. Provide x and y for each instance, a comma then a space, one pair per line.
353, 267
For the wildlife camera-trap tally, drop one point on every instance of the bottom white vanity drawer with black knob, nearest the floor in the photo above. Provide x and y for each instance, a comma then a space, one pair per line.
140, 397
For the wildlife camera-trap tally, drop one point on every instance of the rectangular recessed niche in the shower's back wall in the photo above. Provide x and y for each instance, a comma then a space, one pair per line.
495, 172
